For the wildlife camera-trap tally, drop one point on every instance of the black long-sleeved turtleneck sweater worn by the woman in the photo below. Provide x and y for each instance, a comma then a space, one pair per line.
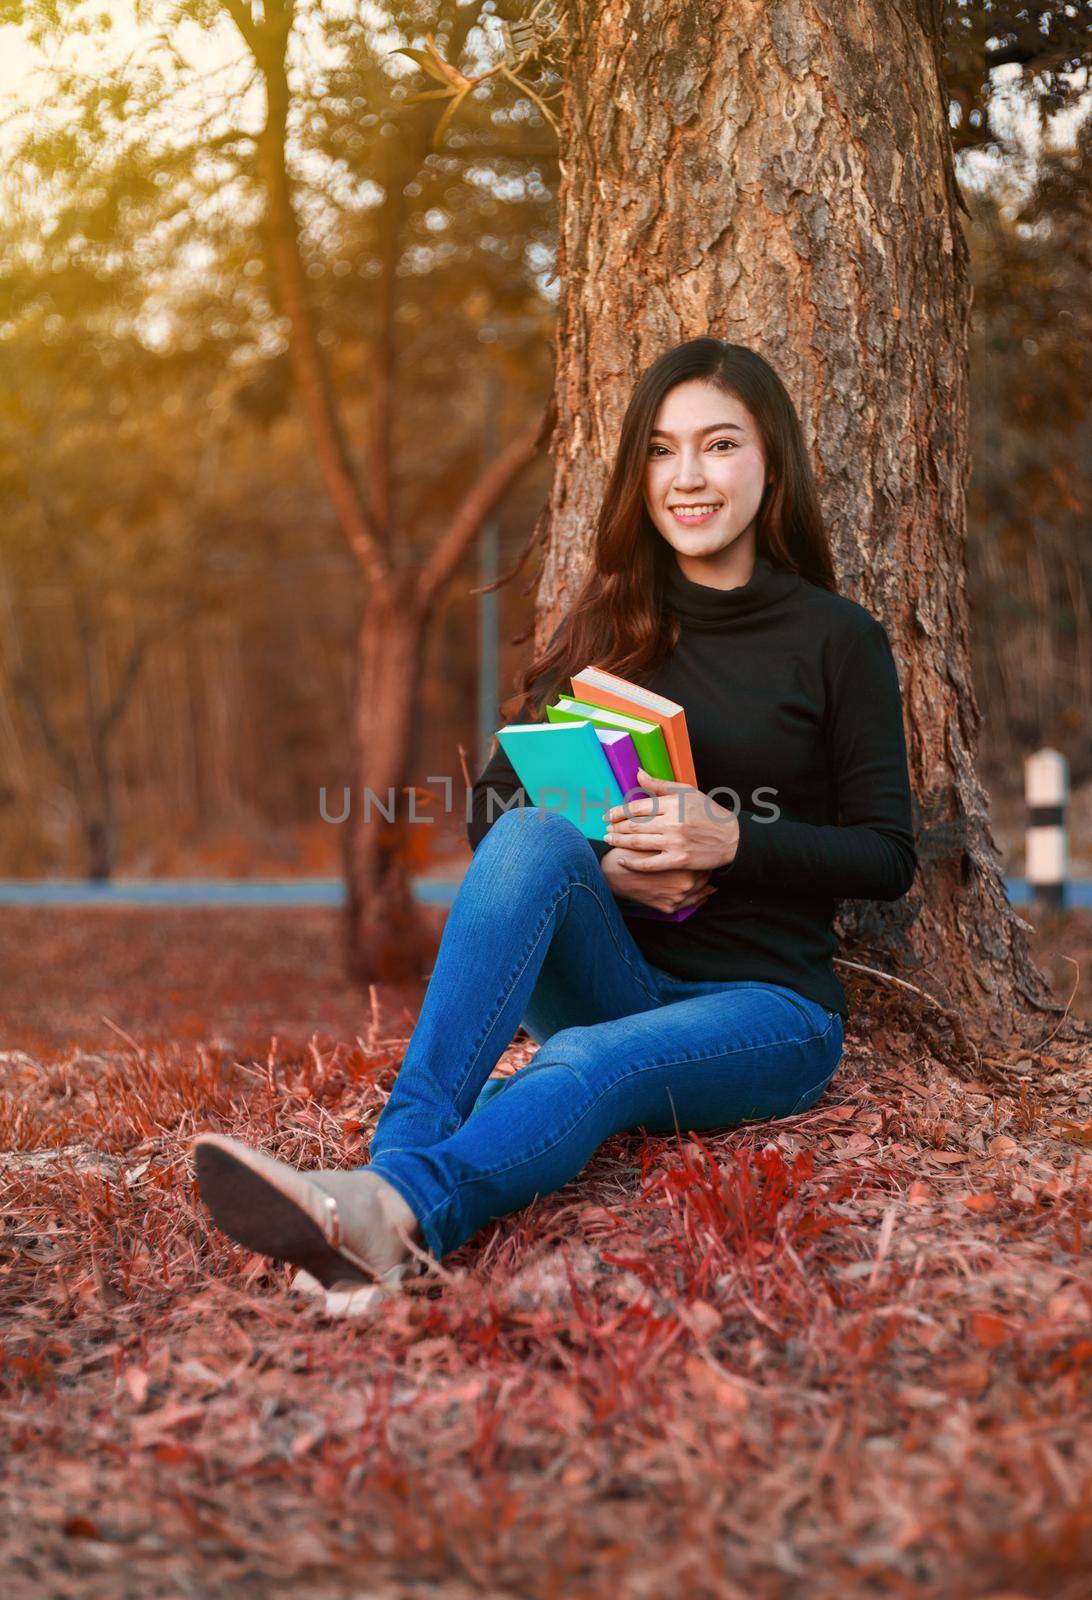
789, 689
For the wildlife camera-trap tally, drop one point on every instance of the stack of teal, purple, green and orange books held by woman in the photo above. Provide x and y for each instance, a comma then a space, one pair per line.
585, 758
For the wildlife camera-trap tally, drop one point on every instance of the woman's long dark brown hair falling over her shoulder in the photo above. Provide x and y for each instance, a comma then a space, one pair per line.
619, 620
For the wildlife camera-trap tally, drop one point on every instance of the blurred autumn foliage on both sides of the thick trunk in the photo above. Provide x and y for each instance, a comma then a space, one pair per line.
161, 498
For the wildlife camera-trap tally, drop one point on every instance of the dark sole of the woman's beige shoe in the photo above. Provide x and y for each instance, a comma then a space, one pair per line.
252, 1210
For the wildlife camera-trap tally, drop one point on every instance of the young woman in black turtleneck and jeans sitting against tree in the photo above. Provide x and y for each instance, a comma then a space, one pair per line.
710, 583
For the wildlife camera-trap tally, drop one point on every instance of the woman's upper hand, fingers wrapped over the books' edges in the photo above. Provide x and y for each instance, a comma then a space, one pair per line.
680, 828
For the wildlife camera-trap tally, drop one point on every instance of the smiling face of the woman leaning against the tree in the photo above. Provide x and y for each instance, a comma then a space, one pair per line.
707, 452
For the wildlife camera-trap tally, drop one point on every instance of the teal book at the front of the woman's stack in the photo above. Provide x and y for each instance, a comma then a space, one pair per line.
564, 769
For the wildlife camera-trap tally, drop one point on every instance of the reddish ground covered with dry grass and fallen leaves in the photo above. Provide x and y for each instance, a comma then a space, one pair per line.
845, 1353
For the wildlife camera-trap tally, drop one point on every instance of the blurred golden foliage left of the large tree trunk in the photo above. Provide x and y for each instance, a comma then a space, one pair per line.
140, 334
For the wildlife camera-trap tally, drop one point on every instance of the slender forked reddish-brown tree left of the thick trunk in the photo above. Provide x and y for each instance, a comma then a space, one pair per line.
401, 596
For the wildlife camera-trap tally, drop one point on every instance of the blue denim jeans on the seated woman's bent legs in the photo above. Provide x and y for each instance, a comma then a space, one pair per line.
536, 937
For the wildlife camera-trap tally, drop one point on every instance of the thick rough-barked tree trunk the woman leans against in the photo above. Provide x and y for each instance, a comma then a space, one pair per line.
784, 178
